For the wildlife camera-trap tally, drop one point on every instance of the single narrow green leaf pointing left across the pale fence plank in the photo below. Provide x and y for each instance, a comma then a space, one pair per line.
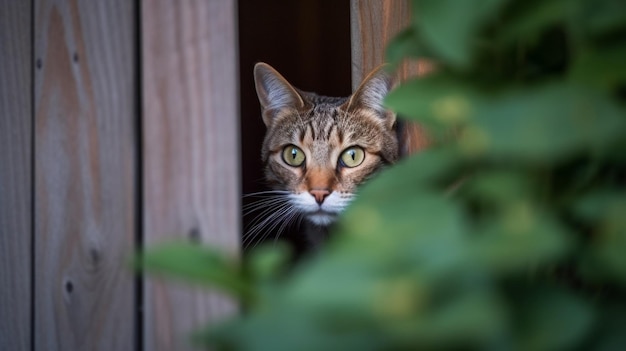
196, 264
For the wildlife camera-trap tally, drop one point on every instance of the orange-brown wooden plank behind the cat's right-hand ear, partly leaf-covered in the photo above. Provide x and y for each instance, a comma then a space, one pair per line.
373, 24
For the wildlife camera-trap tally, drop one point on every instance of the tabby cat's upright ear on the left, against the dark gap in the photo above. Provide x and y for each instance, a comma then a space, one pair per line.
274, 92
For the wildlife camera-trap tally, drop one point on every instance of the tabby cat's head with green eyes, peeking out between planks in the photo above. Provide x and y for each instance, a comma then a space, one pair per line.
320, 149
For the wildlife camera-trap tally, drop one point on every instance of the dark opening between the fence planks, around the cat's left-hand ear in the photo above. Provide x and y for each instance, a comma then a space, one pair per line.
308, 42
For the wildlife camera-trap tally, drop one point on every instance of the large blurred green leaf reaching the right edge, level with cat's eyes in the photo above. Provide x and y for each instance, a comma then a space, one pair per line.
546, 123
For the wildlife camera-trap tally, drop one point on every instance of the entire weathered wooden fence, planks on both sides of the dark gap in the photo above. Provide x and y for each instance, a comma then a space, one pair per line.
119, 128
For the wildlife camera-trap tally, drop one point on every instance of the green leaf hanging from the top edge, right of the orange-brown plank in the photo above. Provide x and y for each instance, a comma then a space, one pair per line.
450, 26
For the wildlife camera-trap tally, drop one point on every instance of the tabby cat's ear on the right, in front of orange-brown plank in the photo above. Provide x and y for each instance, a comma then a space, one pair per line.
371, 93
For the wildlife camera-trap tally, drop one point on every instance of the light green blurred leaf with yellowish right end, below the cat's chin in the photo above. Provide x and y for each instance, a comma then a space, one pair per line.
350, 288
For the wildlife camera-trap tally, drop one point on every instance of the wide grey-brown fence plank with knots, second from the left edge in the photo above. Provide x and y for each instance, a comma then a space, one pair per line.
84, 174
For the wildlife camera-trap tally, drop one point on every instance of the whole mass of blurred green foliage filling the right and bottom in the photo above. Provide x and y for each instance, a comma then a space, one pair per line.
508, 234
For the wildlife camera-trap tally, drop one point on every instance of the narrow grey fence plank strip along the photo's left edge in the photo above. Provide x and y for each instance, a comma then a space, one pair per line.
15, 174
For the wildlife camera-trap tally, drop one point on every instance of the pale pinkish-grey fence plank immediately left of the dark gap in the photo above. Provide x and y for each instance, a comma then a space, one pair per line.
191, 151
